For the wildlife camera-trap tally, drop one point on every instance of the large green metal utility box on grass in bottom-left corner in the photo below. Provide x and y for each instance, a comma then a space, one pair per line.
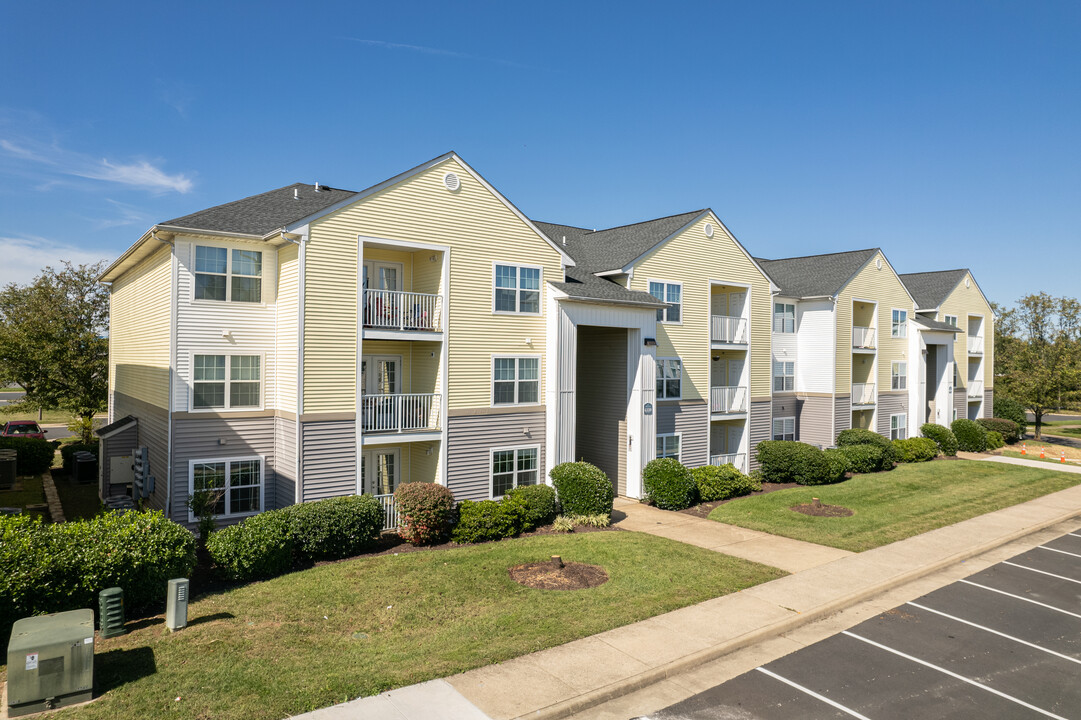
51, 662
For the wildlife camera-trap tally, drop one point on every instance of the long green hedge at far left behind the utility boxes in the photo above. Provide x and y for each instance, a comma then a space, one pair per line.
59, 567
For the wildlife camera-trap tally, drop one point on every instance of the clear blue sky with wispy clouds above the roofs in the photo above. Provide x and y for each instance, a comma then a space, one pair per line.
949, 134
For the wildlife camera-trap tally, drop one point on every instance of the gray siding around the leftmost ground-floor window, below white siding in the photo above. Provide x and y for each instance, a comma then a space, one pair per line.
201, 439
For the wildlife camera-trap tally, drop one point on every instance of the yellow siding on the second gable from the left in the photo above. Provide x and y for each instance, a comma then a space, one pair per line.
697, 261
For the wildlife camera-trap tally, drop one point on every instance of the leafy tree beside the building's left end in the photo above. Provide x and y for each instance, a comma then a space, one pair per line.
54, 341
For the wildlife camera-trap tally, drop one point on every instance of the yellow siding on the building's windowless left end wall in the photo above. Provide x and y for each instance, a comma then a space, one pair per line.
141, 310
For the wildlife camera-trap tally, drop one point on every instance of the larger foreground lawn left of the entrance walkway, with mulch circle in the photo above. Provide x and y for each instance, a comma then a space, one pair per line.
338, 632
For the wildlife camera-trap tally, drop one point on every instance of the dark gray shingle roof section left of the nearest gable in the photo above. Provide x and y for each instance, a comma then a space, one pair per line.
263, 214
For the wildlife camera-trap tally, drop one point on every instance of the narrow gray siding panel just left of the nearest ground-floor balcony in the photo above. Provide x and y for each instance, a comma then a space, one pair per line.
328, 460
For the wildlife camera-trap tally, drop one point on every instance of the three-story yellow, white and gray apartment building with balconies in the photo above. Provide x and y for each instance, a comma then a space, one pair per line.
313, 342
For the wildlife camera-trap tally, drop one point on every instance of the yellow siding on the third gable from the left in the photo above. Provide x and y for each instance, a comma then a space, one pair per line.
884, 287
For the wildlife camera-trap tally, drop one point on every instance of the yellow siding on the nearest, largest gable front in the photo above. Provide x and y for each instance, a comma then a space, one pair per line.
477, 228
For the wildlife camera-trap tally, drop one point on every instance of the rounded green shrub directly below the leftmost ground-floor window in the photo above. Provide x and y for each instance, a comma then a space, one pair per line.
260, 548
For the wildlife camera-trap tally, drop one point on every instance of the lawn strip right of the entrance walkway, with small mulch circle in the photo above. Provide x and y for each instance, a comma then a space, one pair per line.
891, 506
